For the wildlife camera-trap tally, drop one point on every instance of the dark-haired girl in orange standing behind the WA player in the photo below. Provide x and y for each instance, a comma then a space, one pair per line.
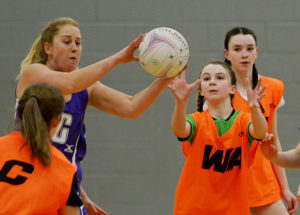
265, 180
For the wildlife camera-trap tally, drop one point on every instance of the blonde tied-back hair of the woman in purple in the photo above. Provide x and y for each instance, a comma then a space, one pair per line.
37, 53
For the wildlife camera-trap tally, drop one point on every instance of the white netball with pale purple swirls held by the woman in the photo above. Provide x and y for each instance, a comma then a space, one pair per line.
163, 52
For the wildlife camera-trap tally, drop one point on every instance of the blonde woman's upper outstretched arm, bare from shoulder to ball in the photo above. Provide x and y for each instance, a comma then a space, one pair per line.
80, 79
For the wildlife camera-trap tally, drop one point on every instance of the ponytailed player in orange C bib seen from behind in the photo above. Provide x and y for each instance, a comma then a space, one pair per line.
35, 177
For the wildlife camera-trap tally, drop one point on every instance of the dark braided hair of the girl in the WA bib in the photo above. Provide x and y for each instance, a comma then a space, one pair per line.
201, 98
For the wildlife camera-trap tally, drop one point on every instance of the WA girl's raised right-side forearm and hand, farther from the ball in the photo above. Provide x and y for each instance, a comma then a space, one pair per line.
259, 126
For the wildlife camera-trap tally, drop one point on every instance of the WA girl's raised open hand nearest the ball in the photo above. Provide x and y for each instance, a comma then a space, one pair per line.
181, 89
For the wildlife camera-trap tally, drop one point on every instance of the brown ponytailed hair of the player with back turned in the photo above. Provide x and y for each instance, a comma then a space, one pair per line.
38, 106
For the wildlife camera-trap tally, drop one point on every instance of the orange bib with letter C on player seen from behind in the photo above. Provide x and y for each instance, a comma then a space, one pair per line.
28, 187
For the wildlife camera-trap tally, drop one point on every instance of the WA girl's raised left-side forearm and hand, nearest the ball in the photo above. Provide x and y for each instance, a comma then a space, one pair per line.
181, 91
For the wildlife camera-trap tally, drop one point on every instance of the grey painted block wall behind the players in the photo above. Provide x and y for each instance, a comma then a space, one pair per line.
132, 166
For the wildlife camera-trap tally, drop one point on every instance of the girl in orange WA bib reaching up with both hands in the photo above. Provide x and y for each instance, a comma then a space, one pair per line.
216, 143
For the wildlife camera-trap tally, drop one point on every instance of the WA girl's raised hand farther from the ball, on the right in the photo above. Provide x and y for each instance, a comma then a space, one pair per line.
254, 96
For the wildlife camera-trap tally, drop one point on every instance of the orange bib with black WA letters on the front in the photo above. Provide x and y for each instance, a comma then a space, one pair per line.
214, 177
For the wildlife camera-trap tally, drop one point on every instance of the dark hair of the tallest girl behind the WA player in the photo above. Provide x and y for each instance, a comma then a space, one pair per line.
243, 31
